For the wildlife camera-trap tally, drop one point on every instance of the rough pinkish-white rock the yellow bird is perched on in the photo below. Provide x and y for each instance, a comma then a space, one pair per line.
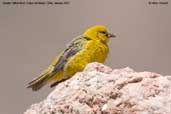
101, 90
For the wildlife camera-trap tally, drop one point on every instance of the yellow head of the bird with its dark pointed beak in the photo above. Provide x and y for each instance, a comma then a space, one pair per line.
98, 32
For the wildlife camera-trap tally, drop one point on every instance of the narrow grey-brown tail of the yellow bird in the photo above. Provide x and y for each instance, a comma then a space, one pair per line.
40, 81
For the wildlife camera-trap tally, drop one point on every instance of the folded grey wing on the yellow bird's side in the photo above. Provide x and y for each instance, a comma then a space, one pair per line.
71, 49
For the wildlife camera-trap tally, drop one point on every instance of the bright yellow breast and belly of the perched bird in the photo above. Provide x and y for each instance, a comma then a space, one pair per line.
93, 51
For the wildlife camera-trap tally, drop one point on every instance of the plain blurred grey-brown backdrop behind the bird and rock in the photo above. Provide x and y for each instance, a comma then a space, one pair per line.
31, 36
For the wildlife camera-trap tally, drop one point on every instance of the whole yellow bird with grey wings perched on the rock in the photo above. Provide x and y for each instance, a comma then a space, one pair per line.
89, 47
